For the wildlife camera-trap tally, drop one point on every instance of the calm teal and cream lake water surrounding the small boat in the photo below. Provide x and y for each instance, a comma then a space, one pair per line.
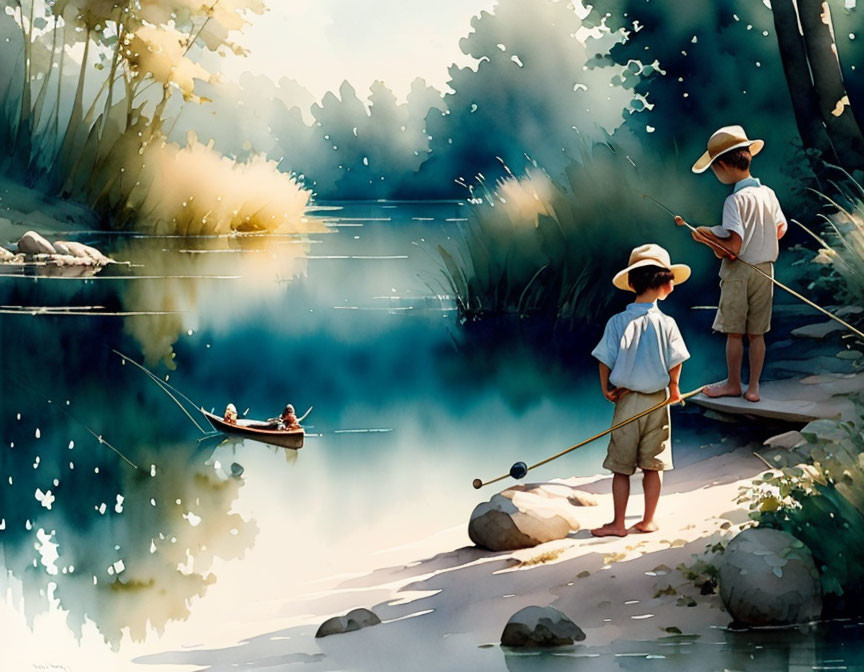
131, 530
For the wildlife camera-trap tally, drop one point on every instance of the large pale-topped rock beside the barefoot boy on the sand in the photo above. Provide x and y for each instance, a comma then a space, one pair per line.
526, 515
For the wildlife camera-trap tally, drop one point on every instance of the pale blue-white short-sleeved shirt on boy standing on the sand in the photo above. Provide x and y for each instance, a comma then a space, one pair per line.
640, 345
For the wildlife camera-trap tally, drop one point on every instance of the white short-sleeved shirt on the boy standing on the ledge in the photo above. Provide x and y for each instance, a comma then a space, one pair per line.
753, 212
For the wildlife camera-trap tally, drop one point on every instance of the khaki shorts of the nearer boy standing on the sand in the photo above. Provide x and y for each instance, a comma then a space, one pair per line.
645, 443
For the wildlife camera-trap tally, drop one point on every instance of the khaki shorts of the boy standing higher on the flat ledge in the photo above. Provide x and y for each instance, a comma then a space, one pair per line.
745, 299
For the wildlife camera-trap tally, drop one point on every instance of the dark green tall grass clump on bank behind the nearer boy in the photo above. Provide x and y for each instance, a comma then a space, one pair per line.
534, 247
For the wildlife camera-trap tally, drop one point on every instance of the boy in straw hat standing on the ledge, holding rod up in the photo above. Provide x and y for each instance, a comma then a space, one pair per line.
751, 227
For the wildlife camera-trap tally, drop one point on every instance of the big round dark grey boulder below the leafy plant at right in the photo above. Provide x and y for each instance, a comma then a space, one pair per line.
767, 577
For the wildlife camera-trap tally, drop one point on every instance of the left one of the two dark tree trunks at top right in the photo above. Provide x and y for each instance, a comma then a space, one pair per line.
793, 54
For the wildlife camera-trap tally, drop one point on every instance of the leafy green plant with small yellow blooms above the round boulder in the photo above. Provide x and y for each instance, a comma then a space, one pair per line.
822, 505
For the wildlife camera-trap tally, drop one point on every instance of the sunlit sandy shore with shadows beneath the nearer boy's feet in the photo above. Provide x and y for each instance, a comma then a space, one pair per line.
446, 609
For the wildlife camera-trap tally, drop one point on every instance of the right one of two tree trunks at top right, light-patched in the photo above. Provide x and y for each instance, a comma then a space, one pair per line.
828, 83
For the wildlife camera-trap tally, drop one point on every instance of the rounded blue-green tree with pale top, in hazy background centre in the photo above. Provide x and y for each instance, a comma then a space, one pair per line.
532, 93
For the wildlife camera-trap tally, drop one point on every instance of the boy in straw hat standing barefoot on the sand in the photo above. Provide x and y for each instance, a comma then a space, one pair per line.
640, 356
